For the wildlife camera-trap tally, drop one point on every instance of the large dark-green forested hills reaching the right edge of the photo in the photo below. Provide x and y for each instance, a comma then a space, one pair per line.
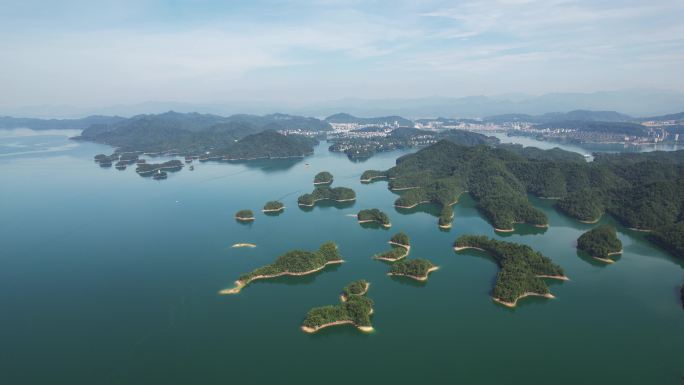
643, 191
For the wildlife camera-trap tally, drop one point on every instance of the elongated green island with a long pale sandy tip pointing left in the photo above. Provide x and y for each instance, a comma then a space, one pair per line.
294, 262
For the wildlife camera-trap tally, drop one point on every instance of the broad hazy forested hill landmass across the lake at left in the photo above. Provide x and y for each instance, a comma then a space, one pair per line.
210, 137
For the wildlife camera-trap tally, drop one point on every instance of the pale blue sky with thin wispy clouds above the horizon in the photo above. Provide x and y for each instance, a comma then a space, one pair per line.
96, 53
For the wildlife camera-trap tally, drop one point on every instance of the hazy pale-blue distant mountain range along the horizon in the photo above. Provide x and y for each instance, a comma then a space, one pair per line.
635, 102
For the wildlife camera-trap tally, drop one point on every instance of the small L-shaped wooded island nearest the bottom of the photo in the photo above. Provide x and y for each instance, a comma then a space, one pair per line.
355, 309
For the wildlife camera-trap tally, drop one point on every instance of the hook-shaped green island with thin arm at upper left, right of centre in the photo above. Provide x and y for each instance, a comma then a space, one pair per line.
522, 269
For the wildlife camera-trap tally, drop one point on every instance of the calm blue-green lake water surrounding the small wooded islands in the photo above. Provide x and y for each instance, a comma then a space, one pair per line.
111, 278
